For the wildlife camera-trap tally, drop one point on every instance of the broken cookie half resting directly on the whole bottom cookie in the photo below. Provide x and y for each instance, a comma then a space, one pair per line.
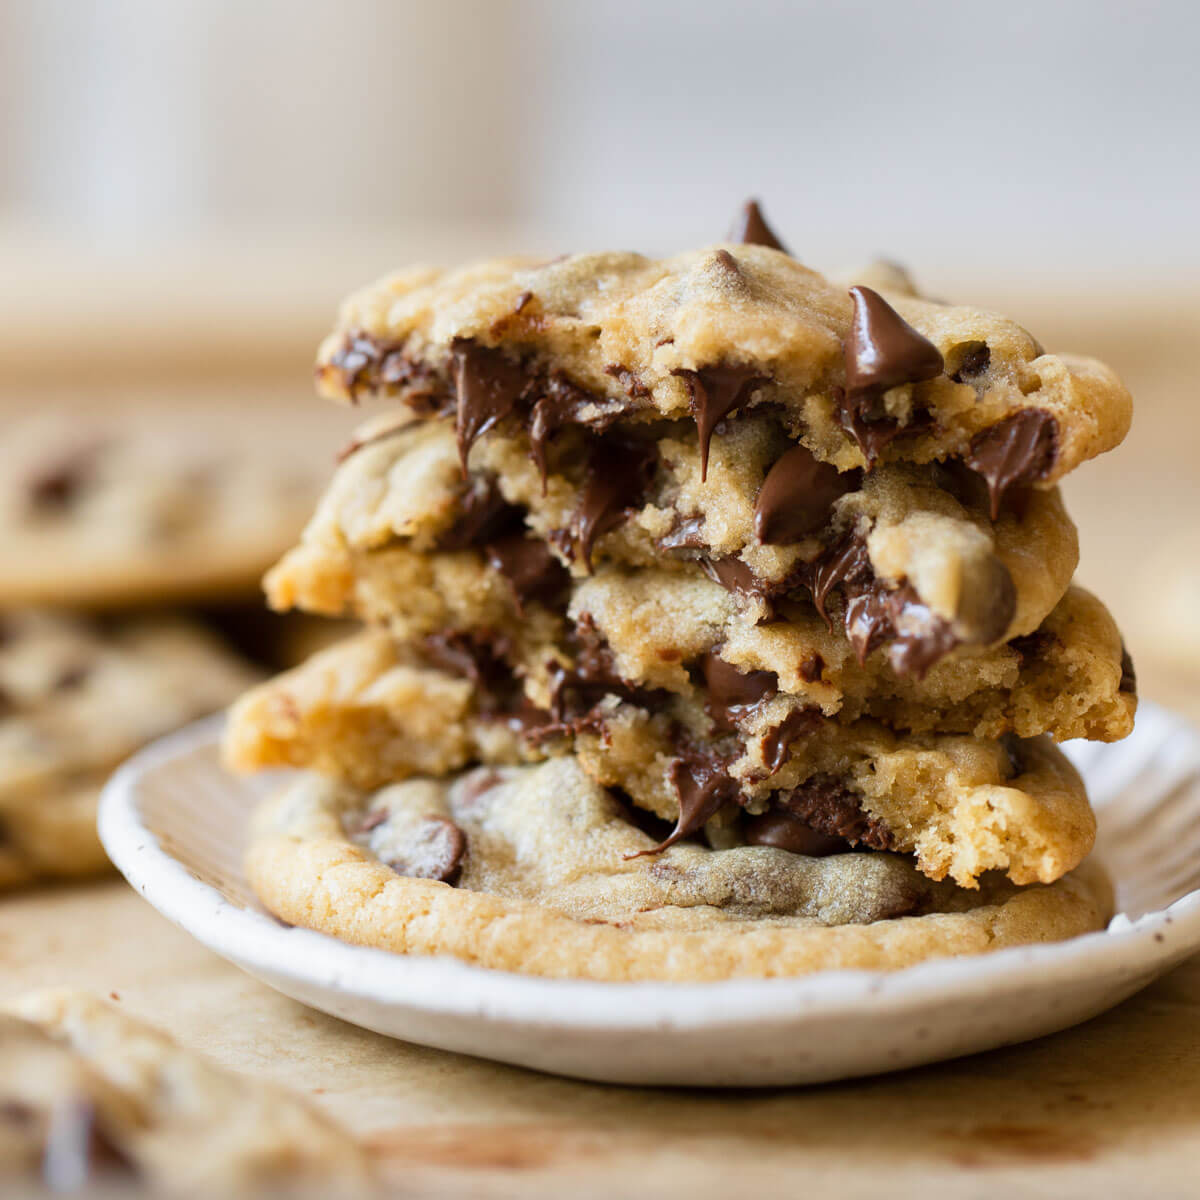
371, 712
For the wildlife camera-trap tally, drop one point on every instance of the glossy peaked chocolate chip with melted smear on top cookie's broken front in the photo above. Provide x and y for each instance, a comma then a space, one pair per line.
883, 351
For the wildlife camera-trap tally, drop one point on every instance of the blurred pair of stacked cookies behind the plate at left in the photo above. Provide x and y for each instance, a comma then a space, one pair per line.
113, 518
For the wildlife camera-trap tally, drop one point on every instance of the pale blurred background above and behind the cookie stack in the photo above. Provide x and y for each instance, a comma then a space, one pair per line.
187, 189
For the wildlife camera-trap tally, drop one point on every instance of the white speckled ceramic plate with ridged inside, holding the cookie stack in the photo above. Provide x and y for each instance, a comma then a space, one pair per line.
175, 824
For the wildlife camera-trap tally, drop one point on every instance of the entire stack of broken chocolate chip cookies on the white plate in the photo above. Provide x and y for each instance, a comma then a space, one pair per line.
721, 623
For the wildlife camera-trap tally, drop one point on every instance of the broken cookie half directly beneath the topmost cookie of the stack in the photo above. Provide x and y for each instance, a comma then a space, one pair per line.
910, 555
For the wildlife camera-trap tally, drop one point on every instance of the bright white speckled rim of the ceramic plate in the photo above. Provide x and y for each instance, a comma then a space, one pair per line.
452, 988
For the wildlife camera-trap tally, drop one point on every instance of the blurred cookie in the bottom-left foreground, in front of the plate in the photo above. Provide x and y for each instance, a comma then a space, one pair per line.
92, 1100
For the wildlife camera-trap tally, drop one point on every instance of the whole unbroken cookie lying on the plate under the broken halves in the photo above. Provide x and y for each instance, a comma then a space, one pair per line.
543, 872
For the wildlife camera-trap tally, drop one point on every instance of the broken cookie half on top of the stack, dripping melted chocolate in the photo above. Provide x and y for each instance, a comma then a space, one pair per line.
860, 376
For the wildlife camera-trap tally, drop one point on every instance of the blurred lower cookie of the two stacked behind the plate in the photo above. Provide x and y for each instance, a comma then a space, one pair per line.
76, 698
